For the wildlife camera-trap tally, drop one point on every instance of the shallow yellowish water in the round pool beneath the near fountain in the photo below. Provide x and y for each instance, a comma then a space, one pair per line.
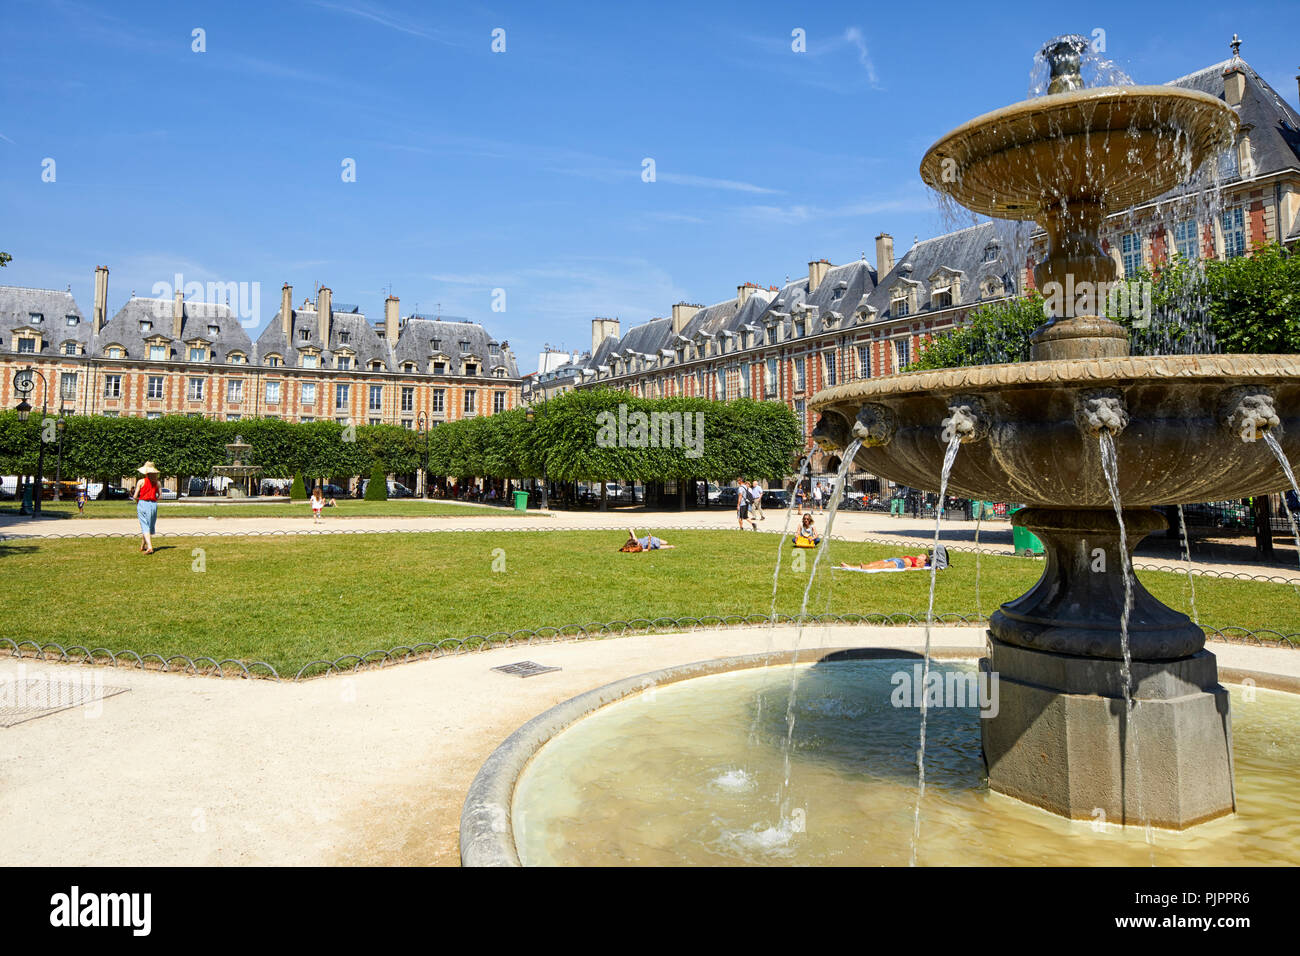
688, 775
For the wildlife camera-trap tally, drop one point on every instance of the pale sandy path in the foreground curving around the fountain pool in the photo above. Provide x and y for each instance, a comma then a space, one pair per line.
363, 769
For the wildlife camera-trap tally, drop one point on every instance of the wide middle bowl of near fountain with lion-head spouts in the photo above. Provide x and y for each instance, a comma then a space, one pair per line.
1184, 440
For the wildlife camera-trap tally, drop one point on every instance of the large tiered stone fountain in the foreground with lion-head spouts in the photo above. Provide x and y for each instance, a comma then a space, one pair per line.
1185, 429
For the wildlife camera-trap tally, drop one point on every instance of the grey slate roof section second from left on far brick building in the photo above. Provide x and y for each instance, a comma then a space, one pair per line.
127, 330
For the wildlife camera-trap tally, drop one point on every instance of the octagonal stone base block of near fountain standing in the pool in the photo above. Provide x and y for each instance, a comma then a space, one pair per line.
1061, 739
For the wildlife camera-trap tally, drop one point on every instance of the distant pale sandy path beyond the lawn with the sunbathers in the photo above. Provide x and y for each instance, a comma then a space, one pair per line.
1158, 552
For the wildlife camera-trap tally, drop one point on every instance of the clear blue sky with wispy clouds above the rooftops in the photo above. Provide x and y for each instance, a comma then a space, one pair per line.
518, 171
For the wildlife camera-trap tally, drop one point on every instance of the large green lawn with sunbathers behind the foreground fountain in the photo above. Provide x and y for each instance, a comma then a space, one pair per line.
291, 600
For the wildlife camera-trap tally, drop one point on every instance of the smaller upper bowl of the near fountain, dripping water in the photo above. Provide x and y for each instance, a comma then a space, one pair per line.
1113, 146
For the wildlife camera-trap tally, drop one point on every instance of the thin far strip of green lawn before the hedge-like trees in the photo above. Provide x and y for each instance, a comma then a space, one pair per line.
348, 508
